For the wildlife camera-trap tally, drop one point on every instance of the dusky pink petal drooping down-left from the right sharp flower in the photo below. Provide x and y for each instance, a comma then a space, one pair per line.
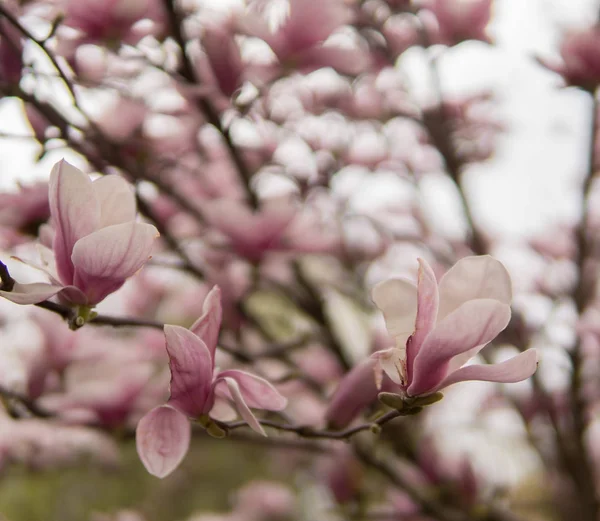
355, 392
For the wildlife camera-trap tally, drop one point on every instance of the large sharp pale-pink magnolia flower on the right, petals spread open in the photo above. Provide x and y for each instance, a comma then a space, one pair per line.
437, 328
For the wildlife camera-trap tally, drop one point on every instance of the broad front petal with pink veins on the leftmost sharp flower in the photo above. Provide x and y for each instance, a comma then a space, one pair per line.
115, 252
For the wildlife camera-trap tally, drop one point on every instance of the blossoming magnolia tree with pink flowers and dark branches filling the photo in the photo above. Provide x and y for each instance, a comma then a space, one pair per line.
235, 251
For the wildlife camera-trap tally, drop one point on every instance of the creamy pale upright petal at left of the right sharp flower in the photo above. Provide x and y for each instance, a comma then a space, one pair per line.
397, 299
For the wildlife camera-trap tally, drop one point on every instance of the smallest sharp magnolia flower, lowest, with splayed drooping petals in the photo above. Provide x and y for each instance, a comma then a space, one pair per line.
198, 390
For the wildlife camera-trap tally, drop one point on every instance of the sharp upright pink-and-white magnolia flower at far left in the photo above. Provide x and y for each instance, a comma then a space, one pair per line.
97, 243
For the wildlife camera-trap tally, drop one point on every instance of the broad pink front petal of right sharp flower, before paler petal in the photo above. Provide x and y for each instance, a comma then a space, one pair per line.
473, 324
